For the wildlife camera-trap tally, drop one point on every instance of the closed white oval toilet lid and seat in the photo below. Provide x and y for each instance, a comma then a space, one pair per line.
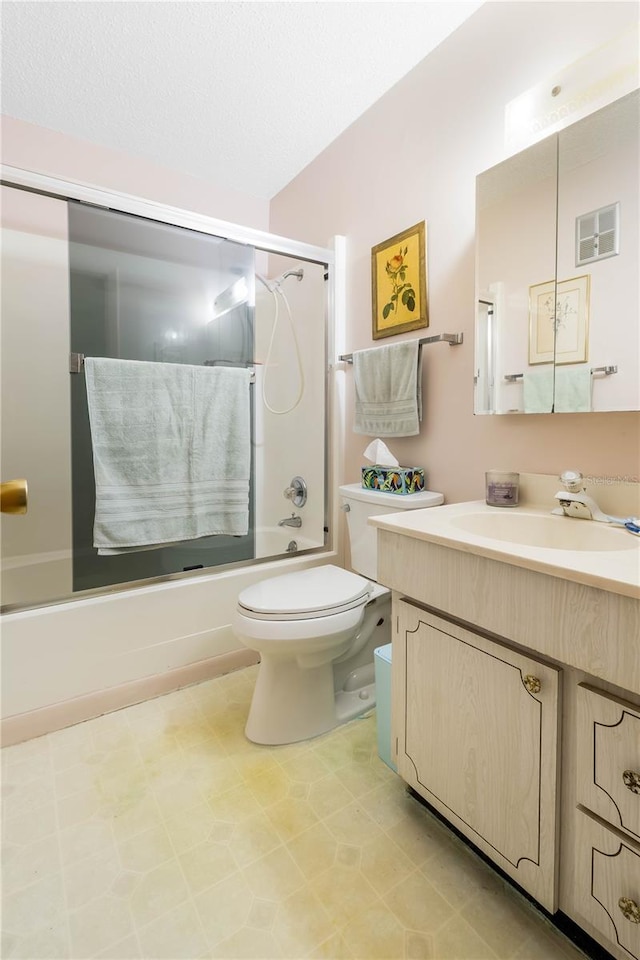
306, 593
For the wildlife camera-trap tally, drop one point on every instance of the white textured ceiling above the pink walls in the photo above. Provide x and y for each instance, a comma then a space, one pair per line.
244, 94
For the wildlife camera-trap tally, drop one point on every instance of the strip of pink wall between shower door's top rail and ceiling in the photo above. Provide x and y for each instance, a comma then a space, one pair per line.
58, 155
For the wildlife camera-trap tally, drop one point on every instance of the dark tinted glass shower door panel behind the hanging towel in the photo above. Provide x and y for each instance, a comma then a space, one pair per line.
141, 290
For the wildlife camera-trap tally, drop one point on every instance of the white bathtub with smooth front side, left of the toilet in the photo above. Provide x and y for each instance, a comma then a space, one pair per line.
70, 661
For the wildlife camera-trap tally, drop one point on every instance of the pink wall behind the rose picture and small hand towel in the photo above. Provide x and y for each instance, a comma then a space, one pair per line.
415, 154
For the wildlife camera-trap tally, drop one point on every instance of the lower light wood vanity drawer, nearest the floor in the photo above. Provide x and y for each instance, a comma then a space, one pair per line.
607, 878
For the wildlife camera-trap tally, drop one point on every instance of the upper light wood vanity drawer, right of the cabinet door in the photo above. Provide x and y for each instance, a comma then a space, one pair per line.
609, 758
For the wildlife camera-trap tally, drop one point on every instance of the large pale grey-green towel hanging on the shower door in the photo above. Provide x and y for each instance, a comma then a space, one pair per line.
171, 452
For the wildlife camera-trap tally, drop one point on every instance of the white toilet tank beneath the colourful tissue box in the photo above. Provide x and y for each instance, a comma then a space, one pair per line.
361, 504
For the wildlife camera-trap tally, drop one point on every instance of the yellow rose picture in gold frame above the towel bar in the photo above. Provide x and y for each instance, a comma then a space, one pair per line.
399, 283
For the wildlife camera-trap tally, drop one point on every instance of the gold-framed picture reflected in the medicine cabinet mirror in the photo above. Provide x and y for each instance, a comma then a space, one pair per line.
559, 321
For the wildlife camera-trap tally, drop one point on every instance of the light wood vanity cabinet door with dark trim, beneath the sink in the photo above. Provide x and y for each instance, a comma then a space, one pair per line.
477, 728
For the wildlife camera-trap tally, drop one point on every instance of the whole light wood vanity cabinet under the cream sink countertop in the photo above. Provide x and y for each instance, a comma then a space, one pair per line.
482, 749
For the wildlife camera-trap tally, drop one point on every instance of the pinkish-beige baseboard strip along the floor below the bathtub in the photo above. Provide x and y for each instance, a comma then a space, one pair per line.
37, 723
